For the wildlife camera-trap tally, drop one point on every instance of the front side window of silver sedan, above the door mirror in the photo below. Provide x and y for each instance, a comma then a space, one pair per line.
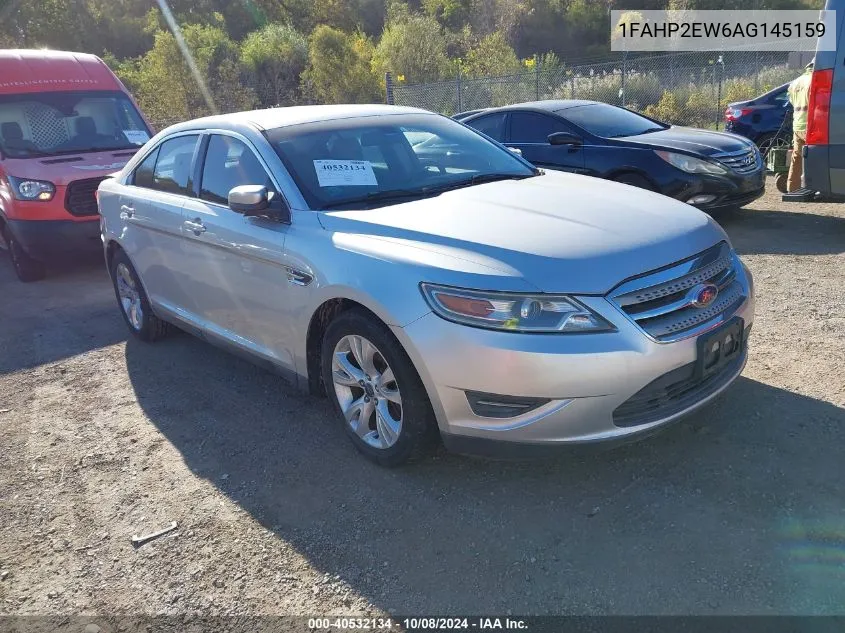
229, 163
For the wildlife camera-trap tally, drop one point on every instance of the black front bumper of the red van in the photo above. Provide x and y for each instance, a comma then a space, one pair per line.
43, 239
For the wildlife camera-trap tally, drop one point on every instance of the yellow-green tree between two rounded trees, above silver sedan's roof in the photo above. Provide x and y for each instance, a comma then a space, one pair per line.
339, 68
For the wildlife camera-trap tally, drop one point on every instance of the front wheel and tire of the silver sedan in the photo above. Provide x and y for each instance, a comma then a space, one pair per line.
376, 391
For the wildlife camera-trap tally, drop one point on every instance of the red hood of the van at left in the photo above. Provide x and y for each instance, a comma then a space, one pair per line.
65, 168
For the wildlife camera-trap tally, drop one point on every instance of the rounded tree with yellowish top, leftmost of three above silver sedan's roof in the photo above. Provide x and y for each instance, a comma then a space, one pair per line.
276, 57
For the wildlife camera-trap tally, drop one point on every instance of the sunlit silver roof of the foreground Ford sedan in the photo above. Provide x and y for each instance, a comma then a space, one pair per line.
294, 115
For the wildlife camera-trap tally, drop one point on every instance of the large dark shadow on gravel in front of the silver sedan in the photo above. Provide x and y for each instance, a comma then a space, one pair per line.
738, 509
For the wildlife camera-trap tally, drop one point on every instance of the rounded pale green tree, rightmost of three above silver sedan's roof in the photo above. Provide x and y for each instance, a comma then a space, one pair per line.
414, 47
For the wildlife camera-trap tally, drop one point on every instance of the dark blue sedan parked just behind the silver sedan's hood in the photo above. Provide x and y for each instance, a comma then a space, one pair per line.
710, 170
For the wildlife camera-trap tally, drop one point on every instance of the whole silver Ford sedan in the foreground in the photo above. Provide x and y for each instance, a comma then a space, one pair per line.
462, 294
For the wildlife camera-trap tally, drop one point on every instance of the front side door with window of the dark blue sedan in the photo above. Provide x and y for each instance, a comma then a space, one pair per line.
529, 133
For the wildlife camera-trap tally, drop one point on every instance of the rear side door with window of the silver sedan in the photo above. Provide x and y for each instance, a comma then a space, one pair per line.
151, 211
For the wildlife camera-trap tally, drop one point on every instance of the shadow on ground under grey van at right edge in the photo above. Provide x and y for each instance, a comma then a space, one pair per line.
775, 232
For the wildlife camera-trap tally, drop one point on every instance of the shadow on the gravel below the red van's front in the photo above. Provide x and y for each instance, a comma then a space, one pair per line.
72, 311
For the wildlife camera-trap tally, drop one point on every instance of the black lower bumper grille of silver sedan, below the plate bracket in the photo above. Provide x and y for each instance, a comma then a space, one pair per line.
673, 392
